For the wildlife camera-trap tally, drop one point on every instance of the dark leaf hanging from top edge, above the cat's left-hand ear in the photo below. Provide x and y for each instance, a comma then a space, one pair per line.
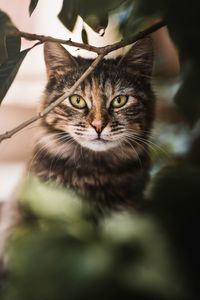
69, 13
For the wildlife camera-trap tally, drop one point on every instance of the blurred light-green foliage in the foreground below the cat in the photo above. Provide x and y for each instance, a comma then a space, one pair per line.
59, 250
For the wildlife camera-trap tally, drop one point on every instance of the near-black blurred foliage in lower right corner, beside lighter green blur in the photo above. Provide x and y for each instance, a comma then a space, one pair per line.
175, 193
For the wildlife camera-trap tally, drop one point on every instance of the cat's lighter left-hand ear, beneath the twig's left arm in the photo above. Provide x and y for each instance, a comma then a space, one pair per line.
57, 56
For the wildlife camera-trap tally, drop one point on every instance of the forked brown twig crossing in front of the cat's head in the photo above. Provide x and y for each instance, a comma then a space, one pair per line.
101, 51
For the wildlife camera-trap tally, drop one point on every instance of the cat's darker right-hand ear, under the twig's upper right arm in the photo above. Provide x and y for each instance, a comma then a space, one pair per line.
139, 58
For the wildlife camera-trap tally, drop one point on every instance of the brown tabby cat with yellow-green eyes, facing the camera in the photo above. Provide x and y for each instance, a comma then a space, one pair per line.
96, 141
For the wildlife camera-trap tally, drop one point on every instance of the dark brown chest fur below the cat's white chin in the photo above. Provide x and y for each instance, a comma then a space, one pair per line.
110, 182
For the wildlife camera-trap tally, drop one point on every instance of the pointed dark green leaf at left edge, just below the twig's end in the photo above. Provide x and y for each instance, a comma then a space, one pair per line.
8, 71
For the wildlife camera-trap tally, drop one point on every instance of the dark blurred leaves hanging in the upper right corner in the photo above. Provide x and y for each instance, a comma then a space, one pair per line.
183, 22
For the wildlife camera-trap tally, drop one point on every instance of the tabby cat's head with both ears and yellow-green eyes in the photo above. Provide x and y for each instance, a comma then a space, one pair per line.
112, 105
